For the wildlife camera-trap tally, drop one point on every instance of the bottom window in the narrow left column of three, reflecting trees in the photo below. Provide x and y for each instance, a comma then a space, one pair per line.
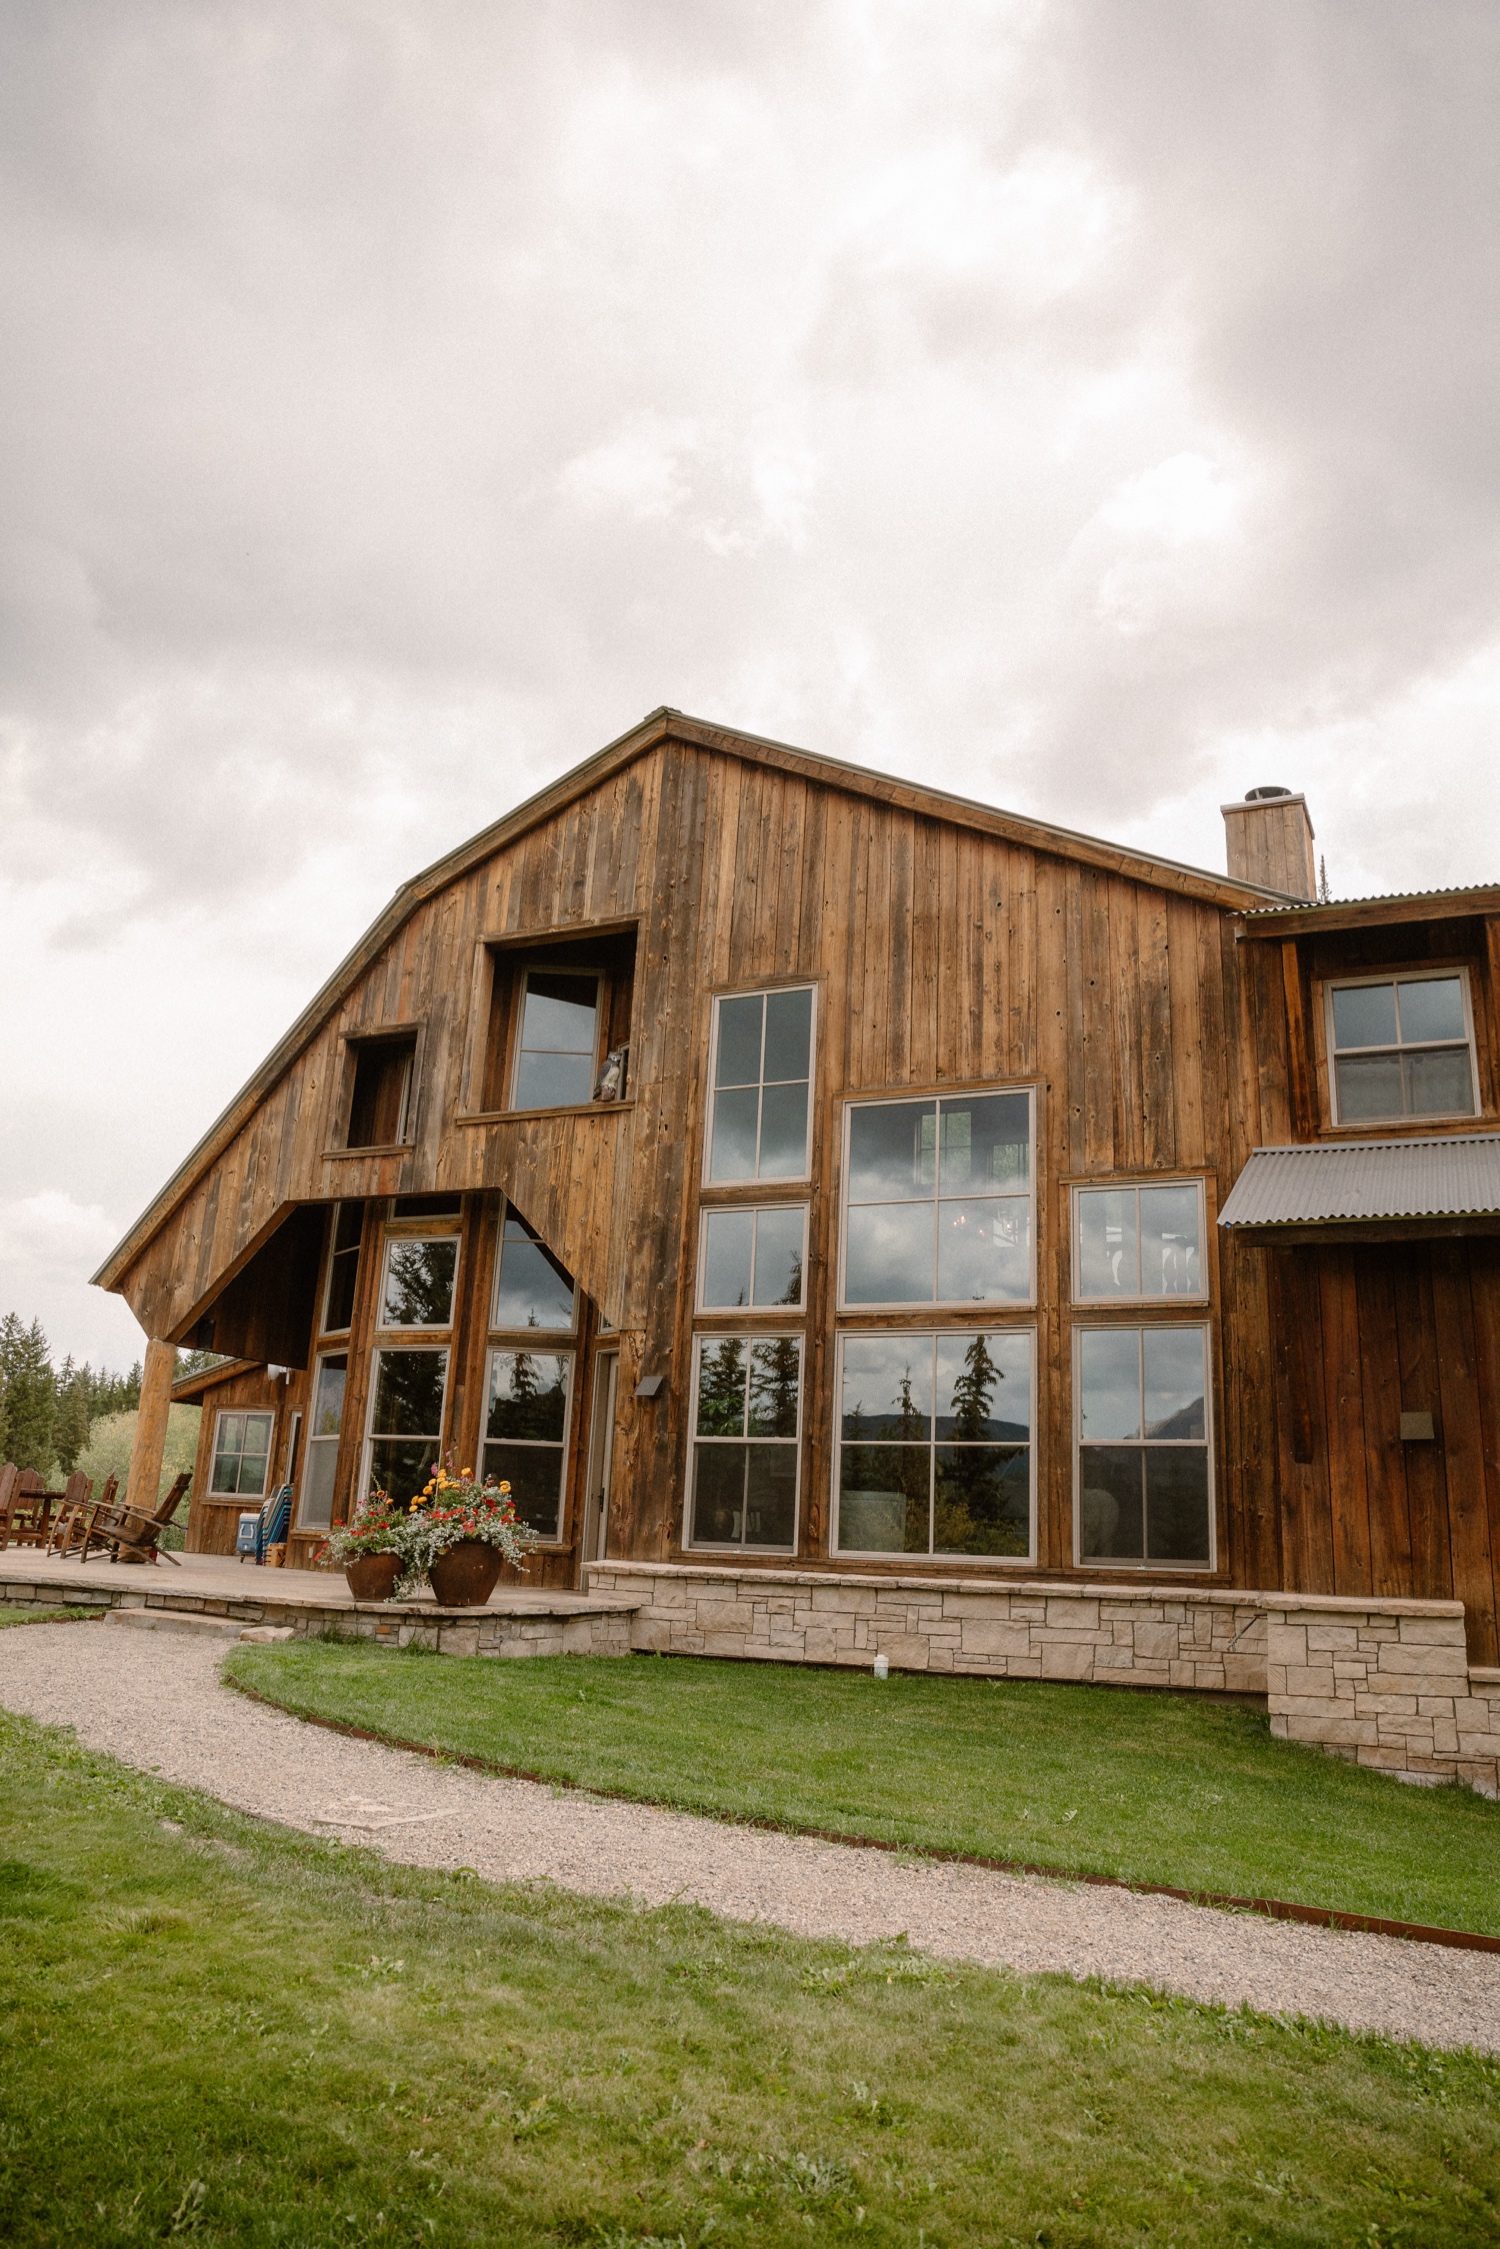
748, 1398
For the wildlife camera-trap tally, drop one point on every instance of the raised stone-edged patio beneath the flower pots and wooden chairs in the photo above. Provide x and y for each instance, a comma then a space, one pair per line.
516, 1620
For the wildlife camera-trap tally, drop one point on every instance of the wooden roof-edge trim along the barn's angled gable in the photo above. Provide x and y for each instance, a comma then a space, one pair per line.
656, 730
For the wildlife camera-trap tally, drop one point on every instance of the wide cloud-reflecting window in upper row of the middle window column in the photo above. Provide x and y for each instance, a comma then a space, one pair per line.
939, 1202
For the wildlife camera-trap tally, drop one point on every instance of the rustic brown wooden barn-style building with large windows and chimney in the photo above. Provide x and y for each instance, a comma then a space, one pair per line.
793, 1175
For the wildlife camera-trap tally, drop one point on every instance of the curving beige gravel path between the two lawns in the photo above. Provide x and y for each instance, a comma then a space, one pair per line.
154, 1701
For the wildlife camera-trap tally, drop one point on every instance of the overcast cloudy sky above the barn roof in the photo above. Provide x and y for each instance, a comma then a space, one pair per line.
1085, 406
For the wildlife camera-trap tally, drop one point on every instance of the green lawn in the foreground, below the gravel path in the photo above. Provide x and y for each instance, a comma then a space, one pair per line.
222, 2032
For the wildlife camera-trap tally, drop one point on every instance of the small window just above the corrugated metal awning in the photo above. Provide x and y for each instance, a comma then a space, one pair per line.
1402, 1049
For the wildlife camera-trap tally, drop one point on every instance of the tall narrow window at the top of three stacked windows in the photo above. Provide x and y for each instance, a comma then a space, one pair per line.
761, 1078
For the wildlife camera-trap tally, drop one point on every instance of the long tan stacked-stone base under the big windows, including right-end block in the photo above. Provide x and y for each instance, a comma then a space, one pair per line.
1384, 1683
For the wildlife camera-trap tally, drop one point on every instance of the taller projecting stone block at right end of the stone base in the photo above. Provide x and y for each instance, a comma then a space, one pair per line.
1384, 1683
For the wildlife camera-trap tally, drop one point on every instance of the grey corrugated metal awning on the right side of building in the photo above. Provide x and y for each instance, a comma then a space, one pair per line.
1409, 1186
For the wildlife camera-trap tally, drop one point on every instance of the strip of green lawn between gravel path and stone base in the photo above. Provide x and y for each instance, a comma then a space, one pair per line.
1155, 1789
